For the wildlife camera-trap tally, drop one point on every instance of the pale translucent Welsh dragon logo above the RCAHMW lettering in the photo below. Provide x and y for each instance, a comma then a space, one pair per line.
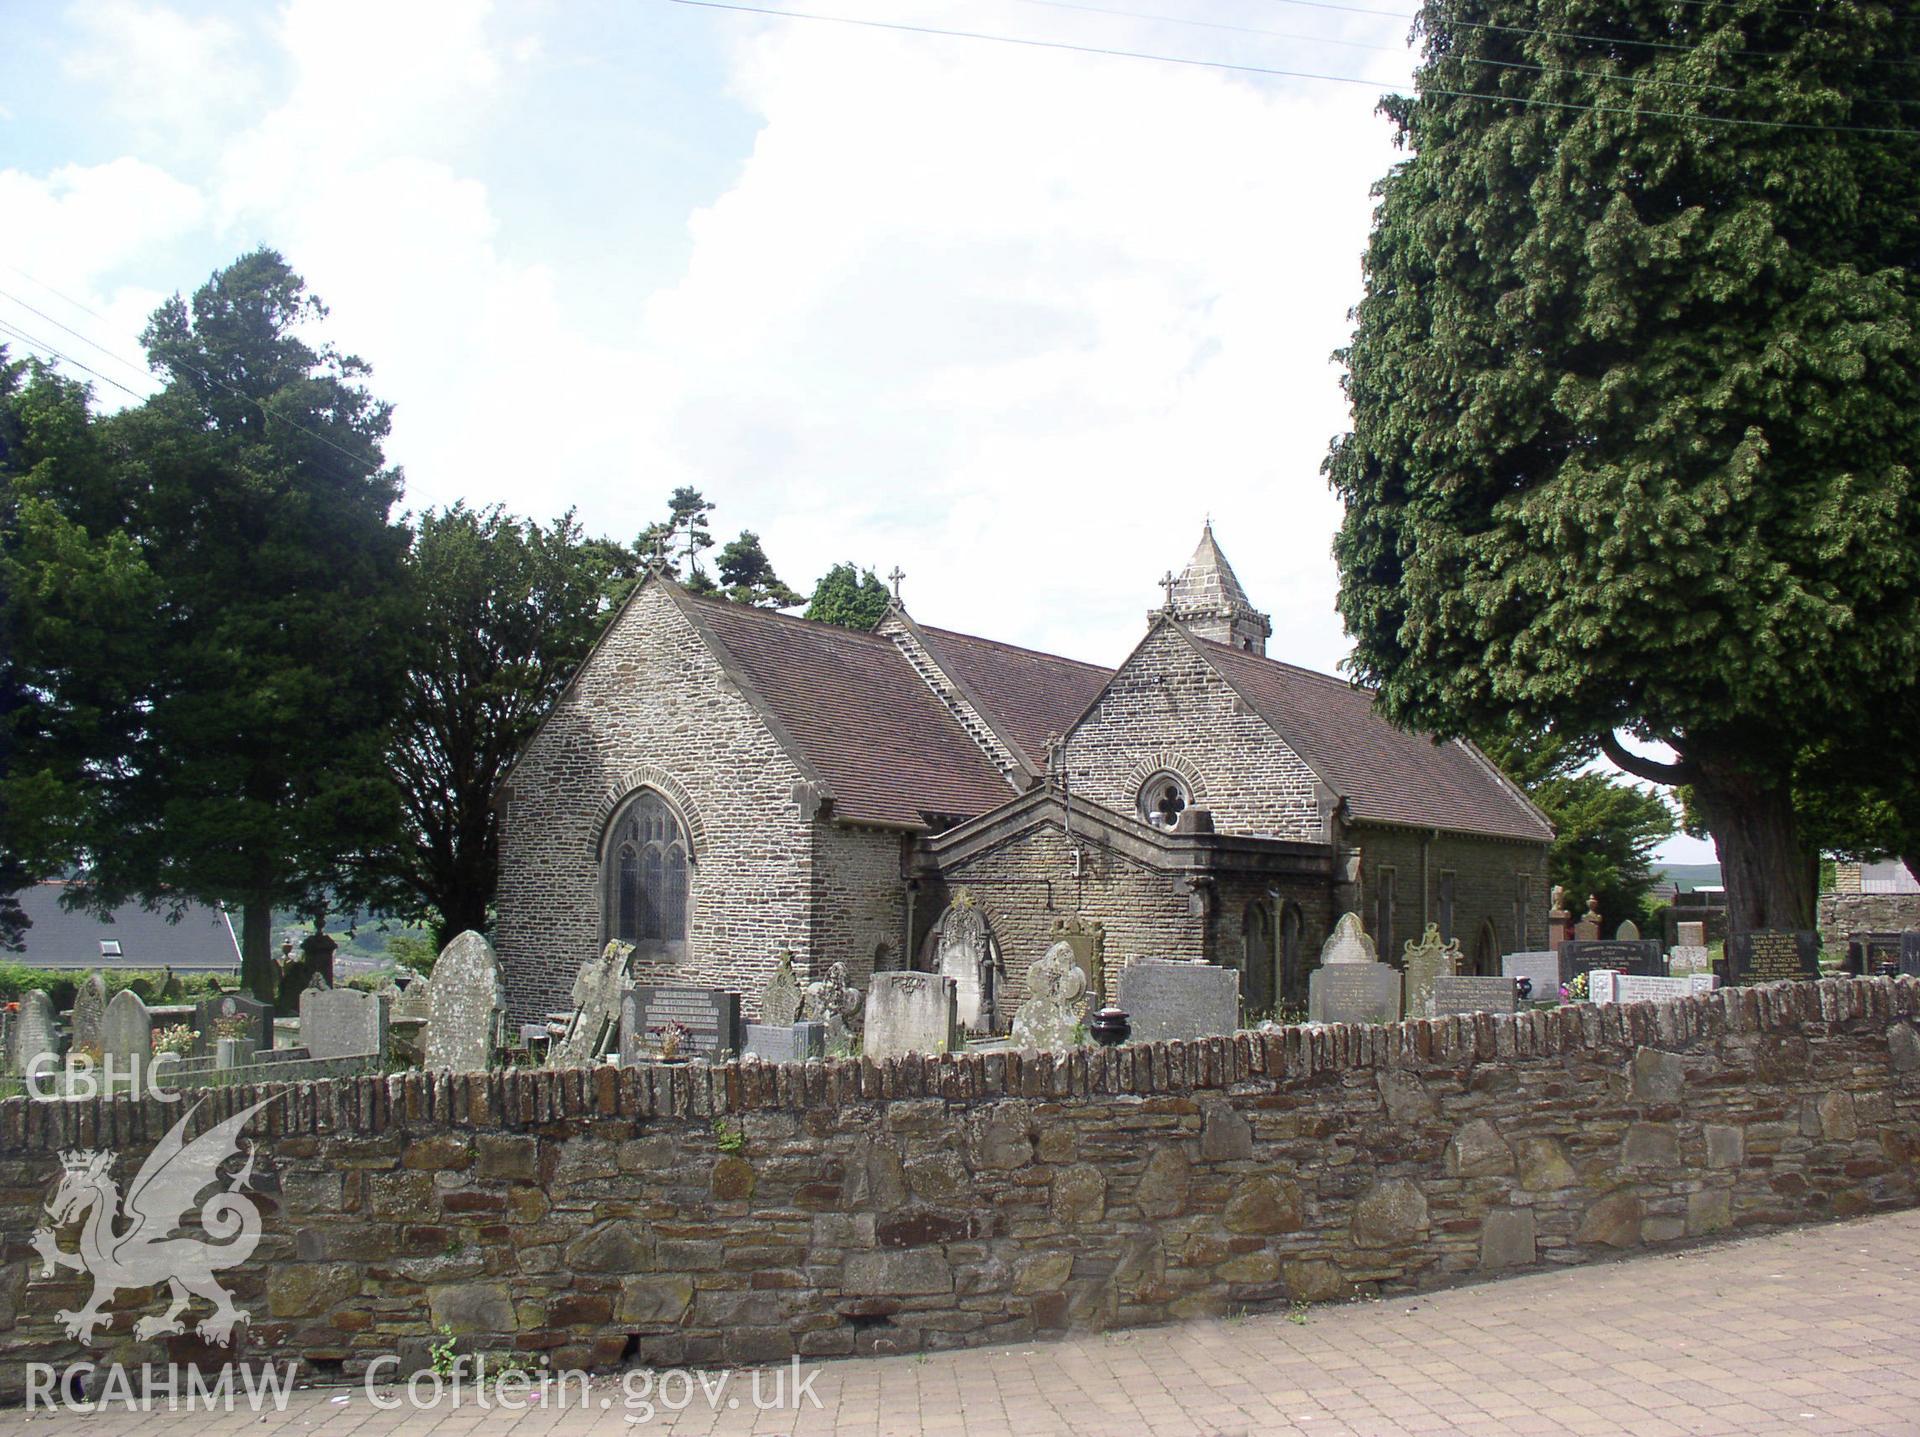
128, 1242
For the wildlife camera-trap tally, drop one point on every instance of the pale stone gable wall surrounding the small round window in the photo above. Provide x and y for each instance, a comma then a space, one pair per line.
1168, 708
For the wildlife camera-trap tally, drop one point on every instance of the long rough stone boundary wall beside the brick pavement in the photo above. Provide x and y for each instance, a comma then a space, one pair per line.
744, 1213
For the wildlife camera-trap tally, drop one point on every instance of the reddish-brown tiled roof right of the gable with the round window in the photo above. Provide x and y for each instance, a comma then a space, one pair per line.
1383, 773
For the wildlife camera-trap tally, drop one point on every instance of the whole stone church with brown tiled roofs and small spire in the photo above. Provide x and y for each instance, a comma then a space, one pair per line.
721, 785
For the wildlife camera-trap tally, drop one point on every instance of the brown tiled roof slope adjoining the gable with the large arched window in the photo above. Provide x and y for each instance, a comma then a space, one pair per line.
859, 714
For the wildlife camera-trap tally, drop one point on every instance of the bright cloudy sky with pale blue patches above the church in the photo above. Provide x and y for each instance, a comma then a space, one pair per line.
1013, 318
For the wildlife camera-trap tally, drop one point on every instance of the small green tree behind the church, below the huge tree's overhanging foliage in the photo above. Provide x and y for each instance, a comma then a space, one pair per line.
1604, 829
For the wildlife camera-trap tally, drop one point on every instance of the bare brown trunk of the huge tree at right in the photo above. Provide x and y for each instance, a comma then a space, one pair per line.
1764, 864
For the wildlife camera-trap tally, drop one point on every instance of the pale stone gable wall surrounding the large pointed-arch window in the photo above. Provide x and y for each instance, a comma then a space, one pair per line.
711, 756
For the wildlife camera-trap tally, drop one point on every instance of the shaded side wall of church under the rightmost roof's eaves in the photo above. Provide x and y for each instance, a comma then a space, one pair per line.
1485, 887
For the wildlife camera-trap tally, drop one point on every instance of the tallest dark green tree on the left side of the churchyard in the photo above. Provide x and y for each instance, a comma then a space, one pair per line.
231, 744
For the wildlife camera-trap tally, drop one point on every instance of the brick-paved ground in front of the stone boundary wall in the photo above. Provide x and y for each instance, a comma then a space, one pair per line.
1806, 1332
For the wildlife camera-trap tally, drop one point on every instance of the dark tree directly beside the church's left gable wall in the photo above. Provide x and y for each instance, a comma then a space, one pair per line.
504, 610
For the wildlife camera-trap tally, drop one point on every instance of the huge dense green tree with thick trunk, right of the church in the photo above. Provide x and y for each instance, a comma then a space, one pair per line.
1637, 399
